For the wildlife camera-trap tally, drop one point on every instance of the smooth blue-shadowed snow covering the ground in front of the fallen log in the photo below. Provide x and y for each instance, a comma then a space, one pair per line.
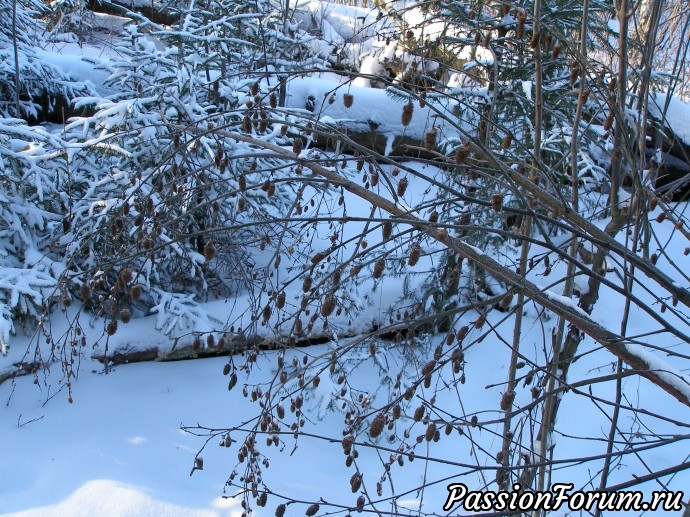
119, 449
